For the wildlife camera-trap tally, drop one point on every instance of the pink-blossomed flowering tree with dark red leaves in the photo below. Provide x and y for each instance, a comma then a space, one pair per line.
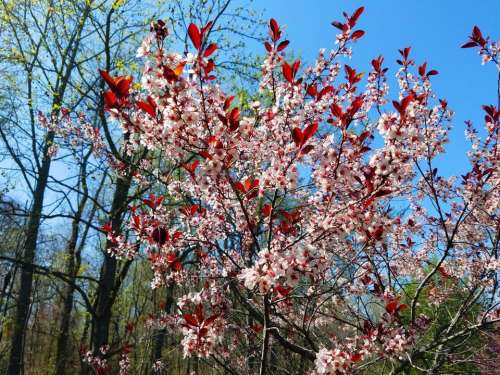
310, 231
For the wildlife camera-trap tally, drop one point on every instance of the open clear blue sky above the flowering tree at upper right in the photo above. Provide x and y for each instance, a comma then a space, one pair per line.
435, 29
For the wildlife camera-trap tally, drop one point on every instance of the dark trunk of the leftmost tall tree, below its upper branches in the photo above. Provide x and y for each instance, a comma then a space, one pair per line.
15, 366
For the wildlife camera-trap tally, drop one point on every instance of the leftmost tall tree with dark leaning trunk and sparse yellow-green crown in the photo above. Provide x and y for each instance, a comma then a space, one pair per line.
39, 36
